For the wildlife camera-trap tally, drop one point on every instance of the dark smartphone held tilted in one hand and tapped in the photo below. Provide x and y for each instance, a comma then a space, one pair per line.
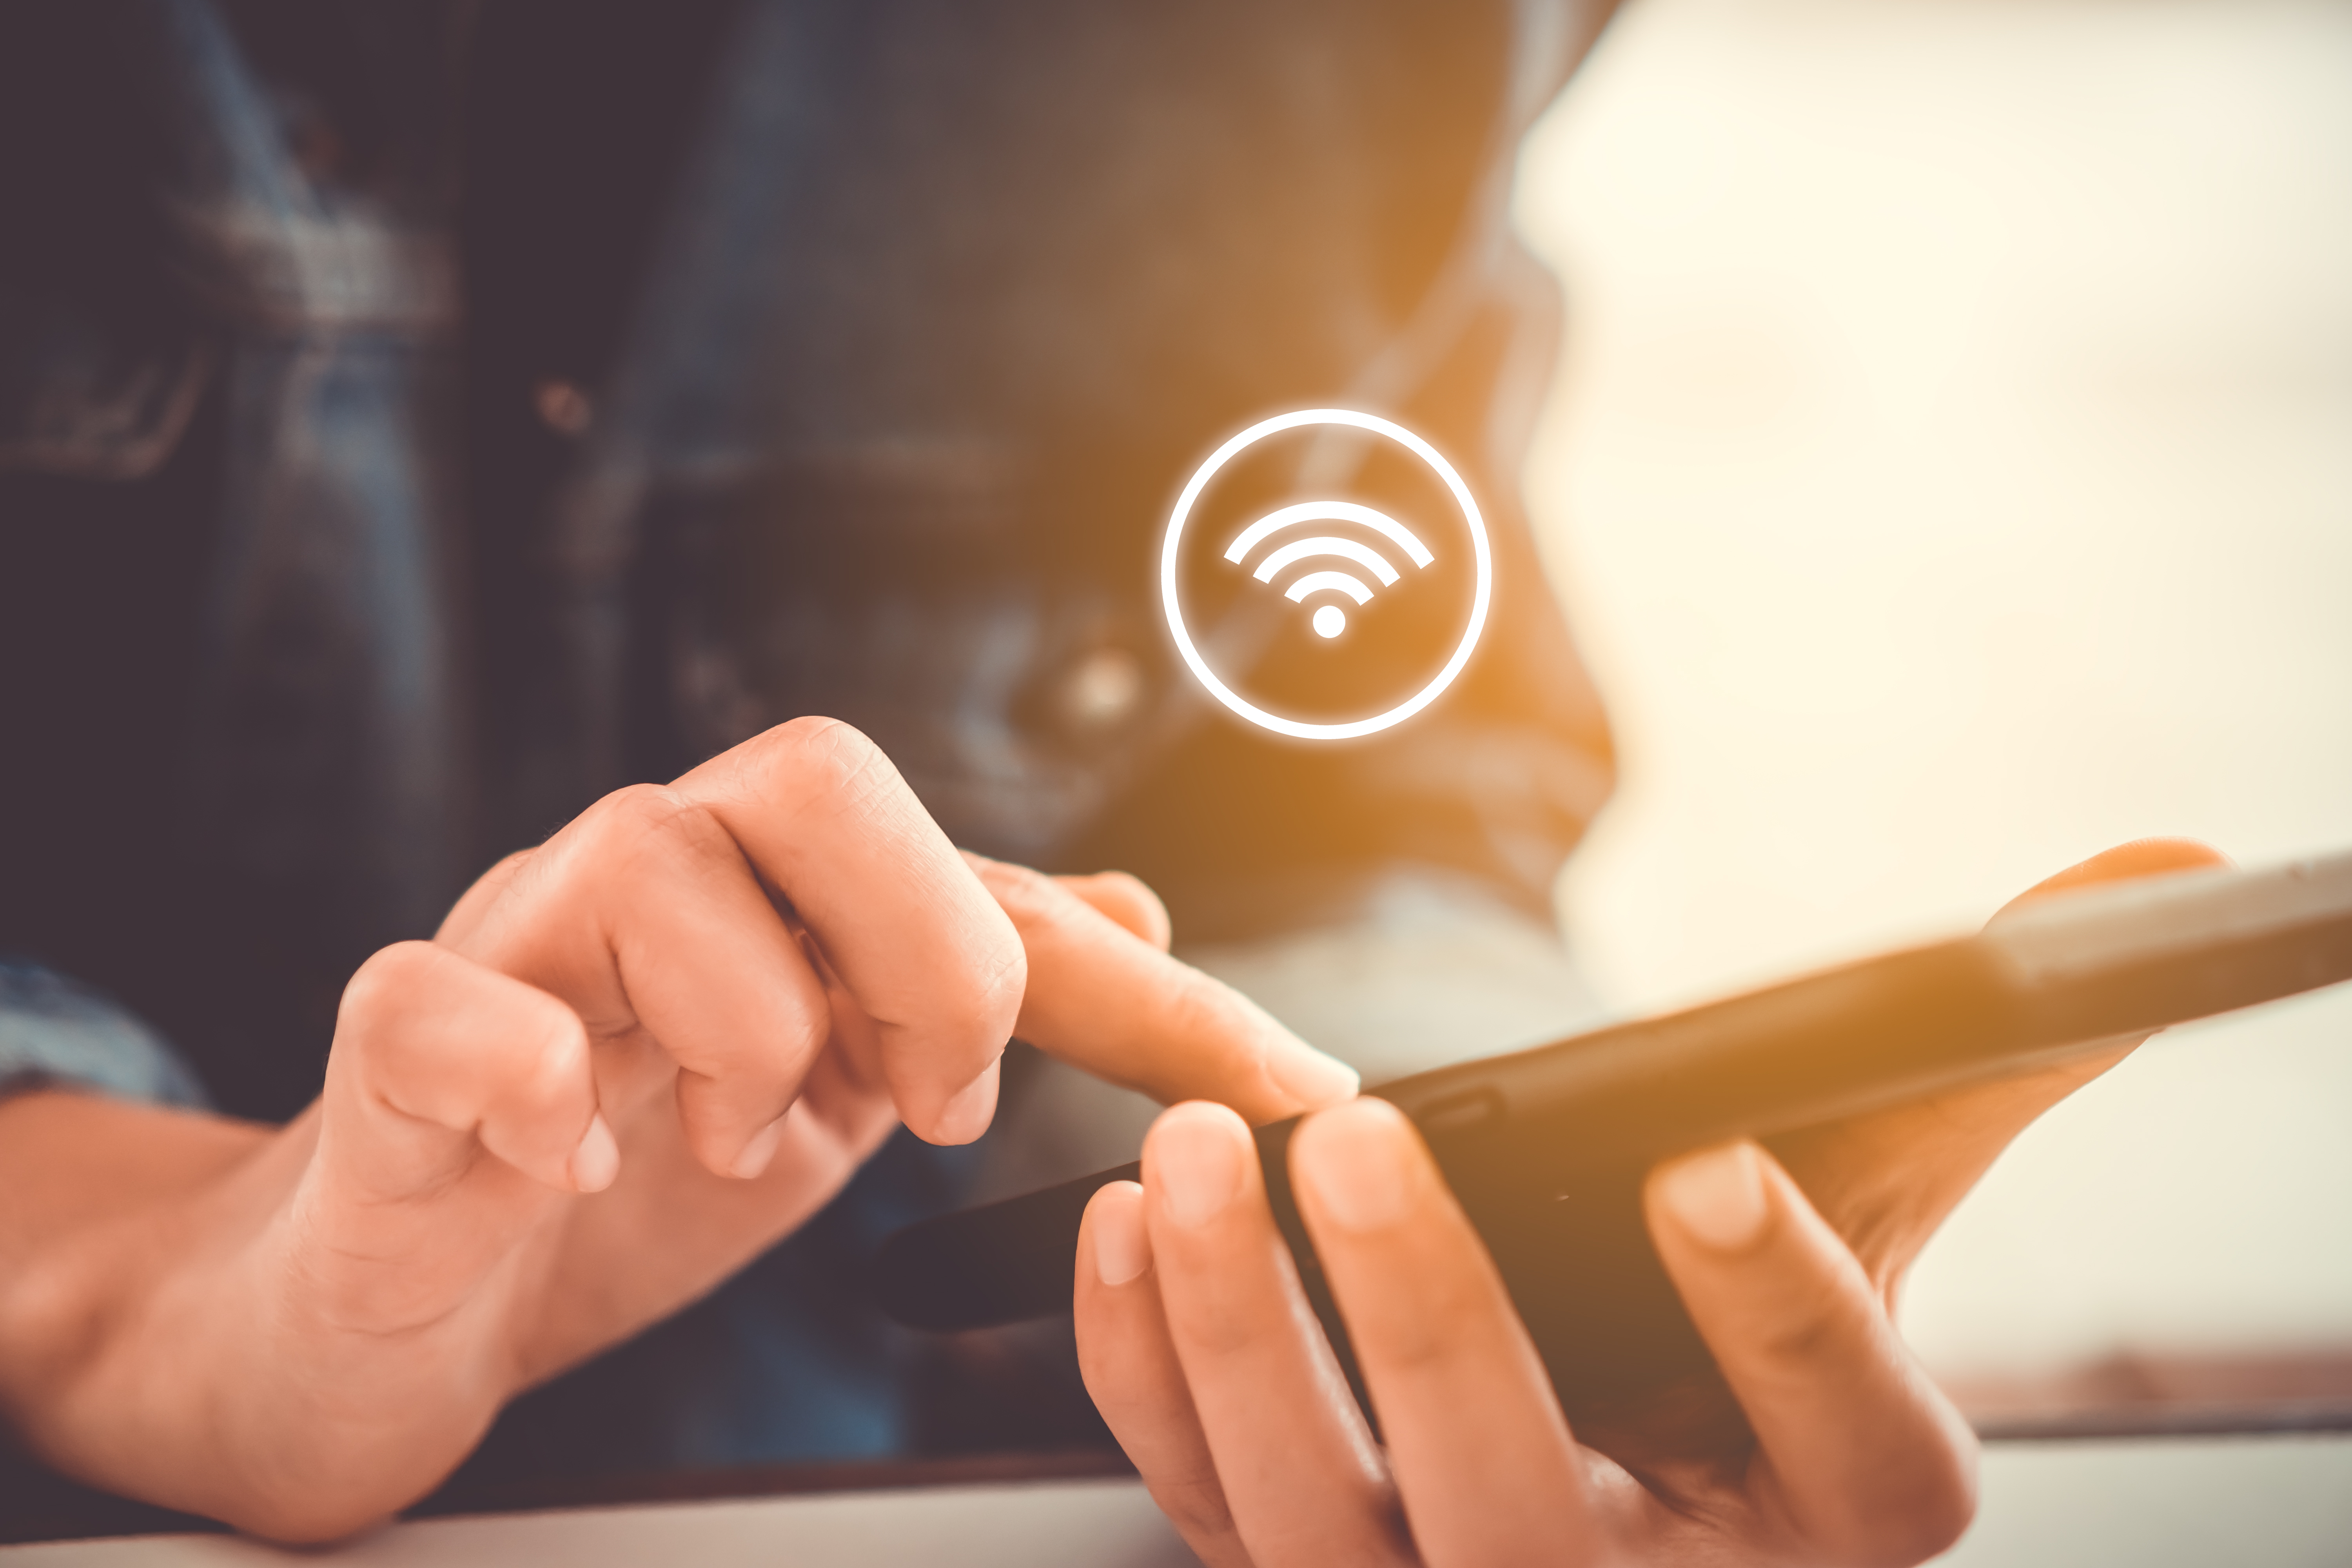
1546, 1148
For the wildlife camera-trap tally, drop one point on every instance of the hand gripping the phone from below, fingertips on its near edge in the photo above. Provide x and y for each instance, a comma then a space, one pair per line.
1817, 1442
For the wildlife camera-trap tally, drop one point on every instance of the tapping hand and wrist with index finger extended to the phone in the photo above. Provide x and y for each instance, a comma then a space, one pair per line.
632, 1059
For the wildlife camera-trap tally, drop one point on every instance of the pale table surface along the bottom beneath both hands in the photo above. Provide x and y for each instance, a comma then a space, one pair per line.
2144, 1503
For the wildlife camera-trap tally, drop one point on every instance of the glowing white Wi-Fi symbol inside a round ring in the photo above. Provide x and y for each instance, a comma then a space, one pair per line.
1337, 572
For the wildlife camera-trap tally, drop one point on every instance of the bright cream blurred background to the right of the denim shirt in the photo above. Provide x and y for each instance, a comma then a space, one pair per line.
1951, 476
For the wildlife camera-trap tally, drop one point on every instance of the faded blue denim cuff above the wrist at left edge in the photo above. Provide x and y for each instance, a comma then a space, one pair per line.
55, 1031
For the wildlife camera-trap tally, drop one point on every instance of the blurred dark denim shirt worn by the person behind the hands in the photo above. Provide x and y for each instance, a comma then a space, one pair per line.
420, 420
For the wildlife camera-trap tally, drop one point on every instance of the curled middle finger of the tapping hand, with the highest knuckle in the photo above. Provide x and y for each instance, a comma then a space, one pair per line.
914, 937
